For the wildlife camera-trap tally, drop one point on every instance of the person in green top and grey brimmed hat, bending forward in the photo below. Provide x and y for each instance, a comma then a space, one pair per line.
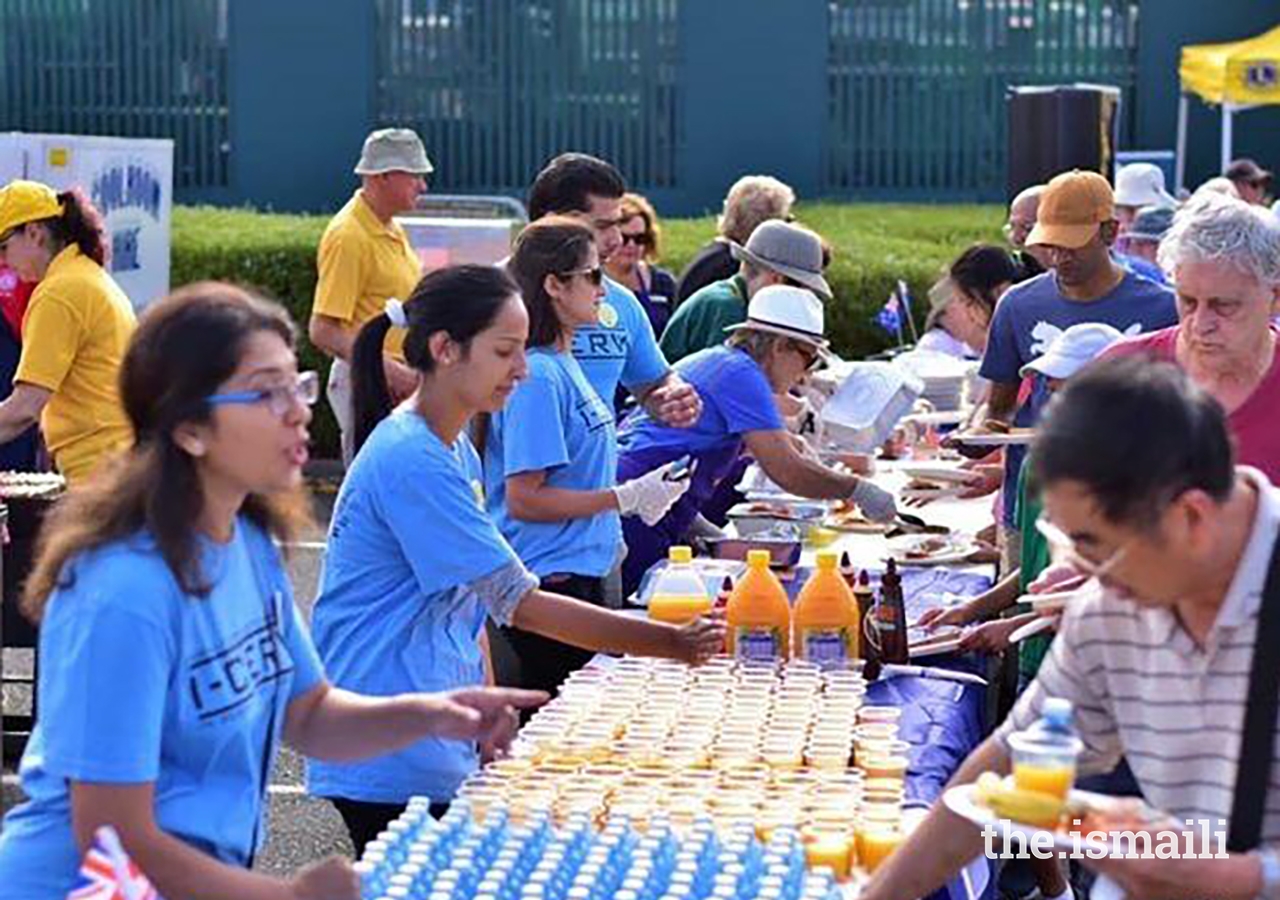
778, 253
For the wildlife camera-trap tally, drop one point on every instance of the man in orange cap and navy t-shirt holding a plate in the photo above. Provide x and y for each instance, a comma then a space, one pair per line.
1076, 229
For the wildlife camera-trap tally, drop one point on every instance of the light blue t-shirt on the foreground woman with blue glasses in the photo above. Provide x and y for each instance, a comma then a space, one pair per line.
144, 684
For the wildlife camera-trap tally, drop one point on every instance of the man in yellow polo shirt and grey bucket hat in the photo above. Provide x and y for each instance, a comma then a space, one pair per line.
365, 259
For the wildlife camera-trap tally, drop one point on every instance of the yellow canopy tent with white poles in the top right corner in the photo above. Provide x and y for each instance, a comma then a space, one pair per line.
1237, 76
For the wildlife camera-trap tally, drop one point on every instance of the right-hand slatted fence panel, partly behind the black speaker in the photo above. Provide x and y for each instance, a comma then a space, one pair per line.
917, 88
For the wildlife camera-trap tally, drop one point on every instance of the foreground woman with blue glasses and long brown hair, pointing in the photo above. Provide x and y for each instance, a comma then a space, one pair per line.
173, 660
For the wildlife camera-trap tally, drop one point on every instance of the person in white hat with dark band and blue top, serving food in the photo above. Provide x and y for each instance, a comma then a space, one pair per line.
781, 340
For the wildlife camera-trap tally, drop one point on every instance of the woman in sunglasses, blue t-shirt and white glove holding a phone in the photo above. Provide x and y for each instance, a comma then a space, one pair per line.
551, 454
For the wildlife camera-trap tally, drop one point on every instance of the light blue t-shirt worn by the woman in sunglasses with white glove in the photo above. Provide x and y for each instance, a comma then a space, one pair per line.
556, 423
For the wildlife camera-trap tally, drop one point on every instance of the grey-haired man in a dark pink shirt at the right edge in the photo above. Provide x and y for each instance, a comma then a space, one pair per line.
1224, 258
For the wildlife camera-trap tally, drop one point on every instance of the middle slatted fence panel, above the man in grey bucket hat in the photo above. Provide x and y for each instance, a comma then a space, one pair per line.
496, 88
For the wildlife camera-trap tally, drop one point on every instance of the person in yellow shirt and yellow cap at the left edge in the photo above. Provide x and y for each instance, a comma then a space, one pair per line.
75, 333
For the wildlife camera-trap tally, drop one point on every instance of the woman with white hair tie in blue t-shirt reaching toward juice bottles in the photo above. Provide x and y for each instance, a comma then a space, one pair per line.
415, 565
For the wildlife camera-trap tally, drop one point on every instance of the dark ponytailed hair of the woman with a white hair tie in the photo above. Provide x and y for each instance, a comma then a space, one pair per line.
460, 301
